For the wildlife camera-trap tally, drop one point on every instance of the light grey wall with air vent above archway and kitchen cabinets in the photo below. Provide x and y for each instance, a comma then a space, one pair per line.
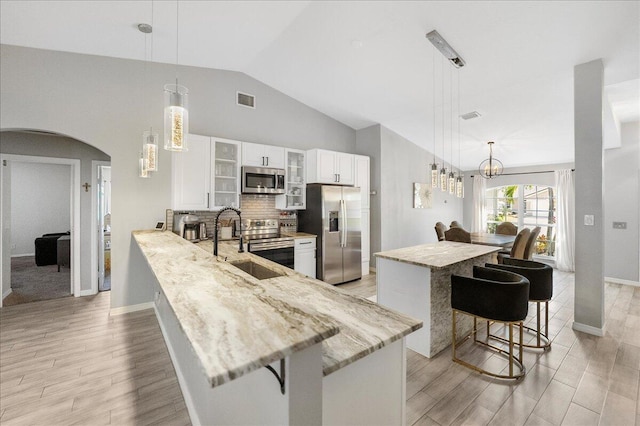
108, 103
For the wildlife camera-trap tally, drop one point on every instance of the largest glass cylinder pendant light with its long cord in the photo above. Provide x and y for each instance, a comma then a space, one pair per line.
176, 113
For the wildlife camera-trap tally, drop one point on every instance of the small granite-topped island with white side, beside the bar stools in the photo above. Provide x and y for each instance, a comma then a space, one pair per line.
424, 292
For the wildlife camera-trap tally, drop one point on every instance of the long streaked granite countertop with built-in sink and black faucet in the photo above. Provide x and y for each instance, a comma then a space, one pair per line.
237, 323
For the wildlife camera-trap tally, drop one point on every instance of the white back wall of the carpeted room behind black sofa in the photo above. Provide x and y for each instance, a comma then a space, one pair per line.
41, 203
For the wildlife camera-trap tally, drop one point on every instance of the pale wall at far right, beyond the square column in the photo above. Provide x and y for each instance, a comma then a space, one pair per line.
621, 182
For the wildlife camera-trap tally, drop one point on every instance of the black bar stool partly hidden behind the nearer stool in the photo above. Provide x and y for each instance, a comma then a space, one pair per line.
540, 277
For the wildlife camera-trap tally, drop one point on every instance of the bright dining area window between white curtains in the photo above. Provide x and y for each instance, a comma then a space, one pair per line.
525, 206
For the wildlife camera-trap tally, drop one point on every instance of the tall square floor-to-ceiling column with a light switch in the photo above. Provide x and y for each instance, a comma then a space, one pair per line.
589, 277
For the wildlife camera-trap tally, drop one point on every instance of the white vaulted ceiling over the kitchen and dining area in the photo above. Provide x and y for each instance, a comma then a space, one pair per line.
368, 62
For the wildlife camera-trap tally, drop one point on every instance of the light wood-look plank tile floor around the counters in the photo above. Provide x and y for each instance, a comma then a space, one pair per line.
66, 361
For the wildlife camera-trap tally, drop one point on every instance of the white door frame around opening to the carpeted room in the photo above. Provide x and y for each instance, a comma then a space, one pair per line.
74, 189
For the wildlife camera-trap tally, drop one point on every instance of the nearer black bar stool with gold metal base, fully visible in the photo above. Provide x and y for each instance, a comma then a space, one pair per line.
491, 295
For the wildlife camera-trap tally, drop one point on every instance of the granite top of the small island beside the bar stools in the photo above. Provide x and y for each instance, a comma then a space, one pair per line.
437, 255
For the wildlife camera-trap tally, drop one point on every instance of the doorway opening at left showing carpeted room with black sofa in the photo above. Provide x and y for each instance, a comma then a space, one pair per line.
40, 219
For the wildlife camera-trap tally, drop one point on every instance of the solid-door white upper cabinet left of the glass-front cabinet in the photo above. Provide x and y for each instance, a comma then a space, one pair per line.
191, 175
